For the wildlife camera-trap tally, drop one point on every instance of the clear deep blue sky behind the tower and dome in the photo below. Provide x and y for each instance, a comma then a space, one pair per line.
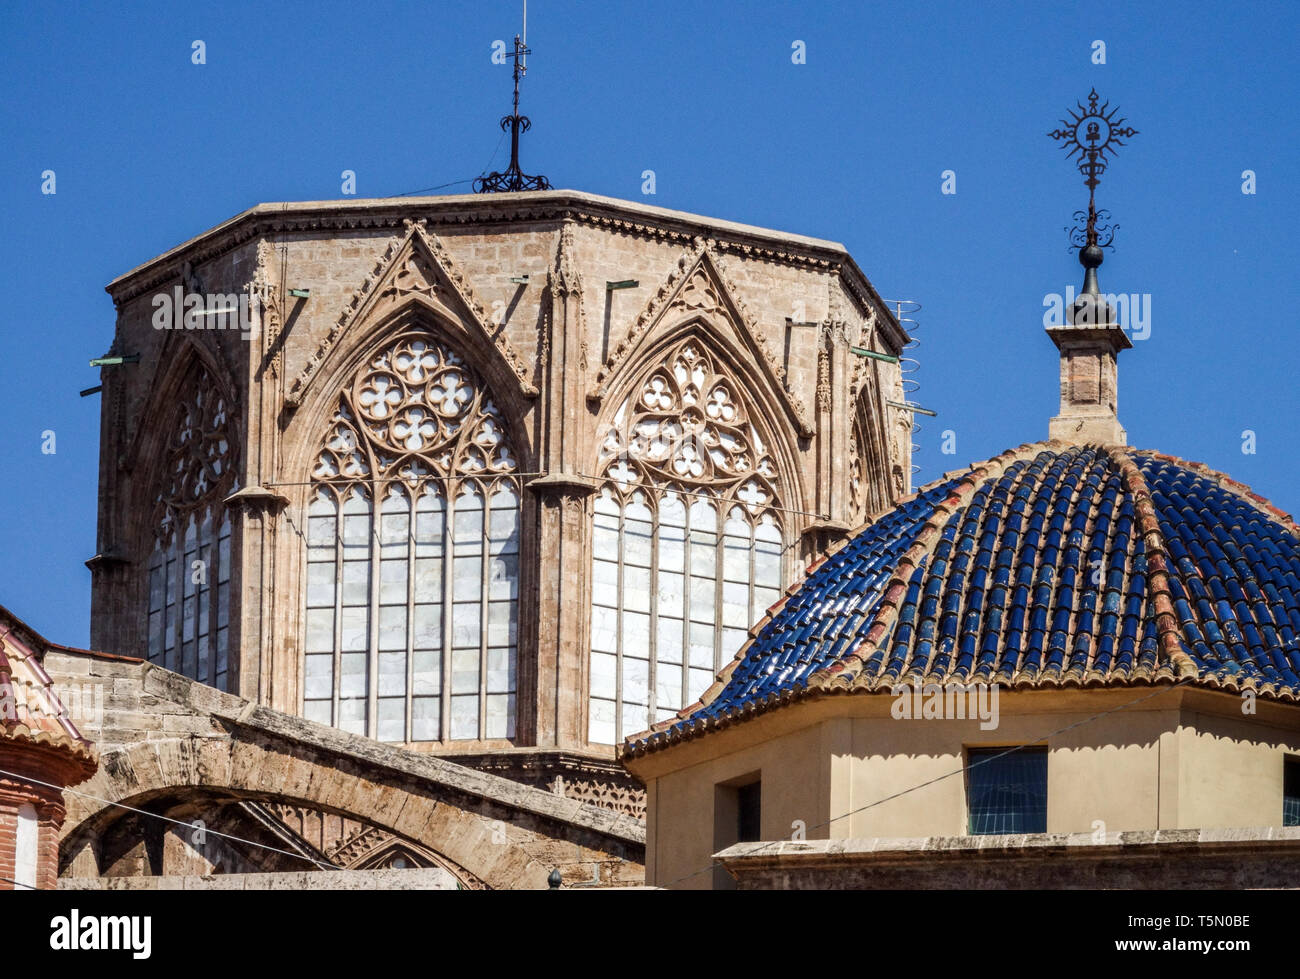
149, 150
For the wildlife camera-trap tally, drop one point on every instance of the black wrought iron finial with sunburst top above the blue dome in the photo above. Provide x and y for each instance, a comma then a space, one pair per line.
1091, 137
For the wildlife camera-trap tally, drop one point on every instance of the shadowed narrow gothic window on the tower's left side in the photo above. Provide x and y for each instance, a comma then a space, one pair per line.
189, 587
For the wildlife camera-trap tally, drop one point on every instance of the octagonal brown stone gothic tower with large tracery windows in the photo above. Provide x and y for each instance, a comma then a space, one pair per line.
506, 476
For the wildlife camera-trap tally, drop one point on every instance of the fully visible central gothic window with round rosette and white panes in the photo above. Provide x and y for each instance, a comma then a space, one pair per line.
413, 556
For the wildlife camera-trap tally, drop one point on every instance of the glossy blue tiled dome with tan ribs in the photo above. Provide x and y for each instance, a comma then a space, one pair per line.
1047, 566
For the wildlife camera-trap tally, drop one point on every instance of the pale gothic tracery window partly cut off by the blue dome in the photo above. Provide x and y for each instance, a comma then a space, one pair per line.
687, 544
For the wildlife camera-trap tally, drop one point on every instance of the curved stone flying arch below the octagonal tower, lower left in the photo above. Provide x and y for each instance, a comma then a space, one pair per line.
482, 834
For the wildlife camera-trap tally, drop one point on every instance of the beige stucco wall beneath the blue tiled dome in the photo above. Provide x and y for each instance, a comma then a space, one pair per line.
1181, 760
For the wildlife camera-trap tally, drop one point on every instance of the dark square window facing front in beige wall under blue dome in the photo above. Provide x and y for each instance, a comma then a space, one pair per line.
1008, 791
